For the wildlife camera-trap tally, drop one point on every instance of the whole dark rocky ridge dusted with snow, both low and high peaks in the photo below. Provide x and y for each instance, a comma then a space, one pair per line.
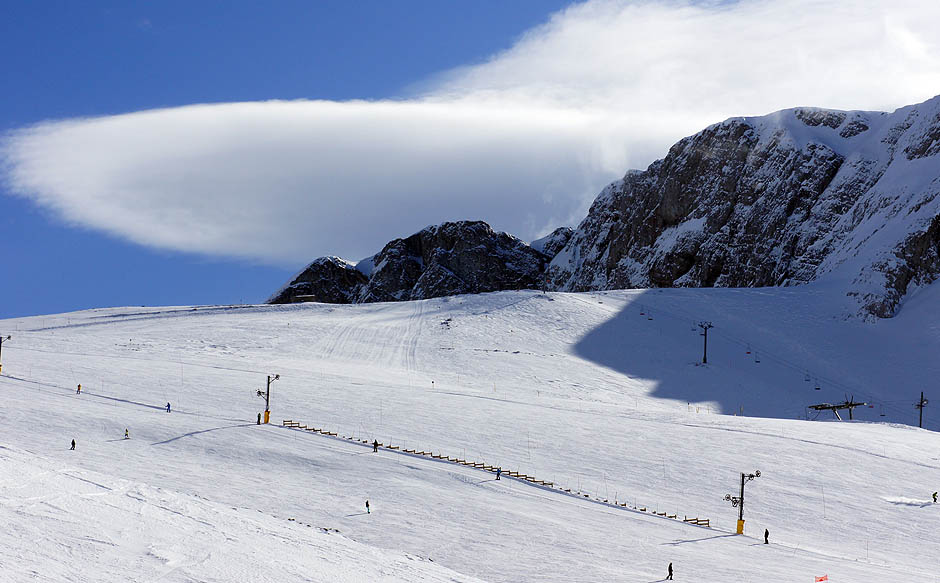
788, 198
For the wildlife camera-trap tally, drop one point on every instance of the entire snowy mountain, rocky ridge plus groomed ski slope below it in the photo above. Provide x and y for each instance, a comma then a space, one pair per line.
631, 445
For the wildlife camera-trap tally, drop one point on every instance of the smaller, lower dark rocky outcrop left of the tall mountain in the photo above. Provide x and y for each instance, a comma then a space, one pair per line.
453, 258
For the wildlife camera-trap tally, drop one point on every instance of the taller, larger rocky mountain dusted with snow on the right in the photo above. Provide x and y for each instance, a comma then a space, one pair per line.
780, 199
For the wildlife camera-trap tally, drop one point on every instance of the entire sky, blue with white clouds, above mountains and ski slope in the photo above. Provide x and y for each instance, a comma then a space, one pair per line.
335, 127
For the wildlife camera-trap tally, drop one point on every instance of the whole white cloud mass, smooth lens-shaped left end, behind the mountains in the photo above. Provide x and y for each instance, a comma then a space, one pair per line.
523, 141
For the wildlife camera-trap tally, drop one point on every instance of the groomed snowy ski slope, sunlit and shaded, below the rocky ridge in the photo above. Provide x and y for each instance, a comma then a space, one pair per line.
601, 394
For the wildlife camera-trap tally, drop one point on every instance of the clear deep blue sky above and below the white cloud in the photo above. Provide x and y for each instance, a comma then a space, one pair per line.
69, 59
